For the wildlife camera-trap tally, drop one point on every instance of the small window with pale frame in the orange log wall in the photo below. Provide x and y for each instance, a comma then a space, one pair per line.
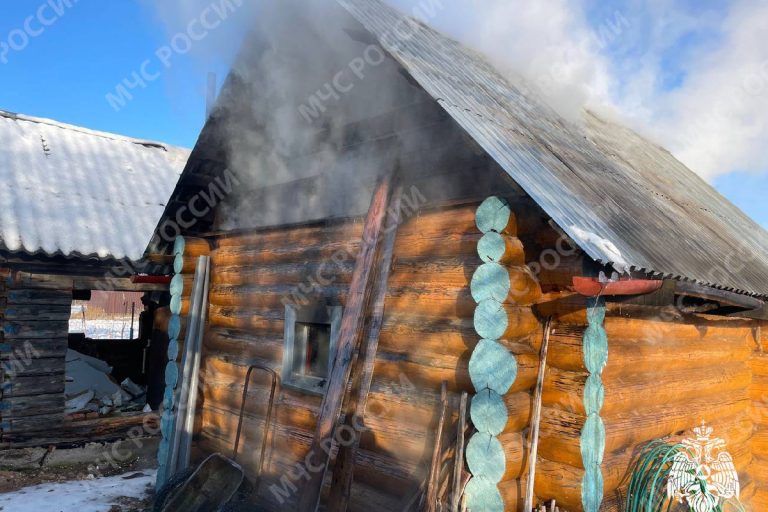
310, 343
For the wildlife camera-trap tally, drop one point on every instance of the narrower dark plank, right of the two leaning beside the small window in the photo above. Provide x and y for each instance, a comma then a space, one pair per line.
362, 373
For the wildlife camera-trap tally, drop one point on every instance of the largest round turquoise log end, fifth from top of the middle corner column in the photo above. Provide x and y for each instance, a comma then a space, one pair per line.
492, 366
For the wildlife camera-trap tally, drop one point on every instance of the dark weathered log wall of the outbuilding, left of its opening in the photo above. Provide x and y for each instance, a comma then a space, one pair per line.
34, 318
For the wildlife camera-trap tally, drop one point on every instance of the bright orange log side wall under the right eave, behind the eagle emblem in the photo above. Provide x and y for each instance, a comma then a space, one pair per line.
665, 374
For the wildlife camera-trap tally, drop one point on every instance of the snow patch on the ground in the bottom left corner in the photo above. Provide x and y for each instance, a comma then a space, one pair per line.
96, 495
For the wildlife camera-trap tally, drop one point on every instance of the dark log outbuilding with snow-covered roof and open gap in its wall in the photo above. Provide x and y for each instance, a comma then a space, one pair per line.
76, 204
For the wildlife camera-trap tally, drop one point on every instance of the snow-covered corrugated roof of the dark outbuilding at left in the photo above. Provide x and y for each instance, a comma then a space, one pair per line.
70, 191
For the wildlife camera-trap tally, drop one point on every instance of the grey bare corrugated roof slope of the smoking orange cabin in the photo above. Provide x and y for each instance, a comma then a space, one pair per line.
623, 199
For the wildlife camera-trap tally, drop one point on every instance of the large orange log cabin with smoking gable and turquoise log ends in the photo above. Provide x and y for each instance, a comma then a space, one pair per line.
438, 265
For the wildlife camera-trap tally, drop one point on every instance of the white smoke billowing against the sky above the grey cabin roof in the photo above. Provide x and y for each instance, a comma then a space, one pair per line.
693, 77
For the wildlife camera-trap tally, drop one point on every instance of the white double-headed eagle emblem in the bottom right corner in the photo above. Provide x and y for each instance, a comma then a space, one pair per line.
703, 475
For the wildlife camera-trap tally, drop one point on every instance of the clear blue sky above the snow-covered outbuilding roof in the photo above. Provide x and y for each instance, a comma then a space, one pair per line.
66, 72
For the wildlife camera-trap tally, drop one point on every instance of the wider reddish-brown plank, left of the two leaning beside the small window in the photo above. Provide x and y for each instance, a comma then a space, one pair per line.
349, 337
